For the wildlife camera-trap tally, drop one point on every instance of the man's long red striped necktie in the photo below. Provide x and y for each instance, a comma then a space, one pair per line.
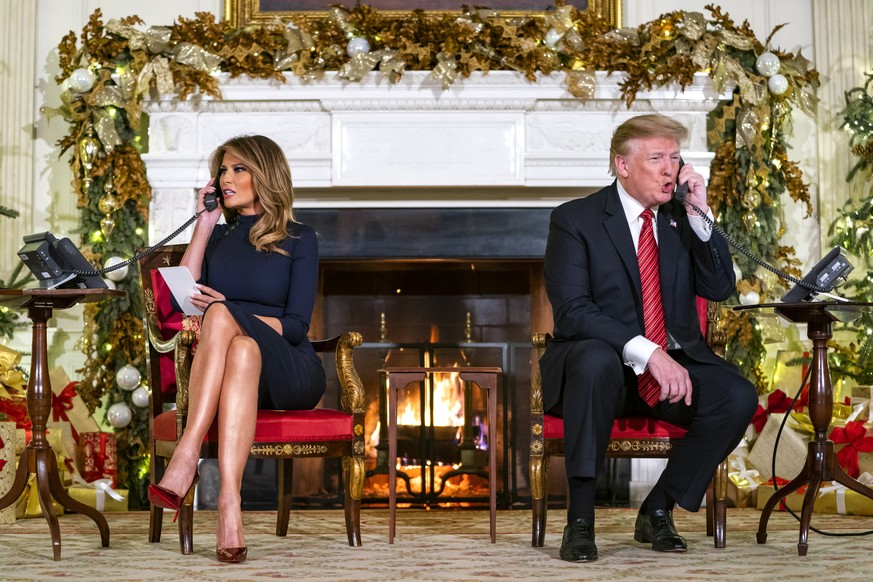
653, 309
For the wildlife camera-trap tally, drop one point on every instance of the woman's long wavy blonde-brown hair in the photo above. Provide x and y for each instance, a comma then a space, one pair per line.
271, 184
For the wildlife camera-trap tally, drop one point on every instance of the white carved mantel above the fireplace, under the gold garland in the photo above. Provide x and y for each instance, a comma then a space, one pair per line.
492, 139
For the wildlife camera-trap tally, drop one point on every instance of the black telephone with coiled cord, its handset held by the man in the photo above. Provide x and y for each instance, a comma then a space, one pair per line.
831, 271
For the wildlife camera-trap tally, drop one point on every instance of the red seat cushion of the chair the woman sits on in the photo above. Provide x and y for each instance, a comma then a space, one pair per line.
276, 426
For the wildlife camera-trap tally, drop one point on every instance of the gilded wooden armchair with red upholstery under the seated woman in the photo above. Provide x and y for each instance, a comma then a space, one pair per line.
280, 435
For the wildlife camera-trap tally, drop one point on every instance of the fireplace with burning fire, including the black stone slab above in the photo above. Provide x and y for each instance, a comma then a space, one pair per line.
437, 287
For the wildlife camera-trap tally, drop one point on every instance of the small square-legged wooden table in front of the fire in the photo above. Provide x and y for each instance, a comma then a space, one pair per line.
399, 378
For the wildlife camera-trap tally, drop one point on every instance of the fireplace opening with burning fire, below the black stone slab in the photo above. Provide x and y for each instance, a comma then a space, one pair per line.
431, 313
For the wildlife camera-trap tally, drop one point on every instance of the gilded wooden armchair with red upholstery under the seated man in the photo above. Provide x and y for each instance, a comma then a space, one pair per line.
634, 437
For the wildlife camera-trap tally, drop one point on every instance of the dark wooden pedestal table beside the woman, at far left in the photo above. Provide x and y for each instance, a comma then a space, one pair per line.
38, 458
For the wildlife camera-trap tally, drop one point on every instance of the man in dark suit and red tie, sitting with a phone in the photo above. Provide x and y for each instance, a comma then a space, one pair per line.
607, 359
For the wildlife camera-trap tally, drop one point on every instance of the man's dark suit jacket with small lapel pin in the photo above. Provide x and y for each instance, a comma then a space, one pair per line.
593, 280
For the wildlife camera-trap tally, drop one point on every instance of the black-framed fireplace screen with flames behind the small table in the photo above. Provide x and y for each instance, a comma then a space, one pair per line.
443, 436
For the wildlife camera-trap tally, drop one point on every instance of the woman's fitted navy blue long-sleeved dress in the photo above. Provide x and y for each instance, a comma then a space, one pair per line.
273, 285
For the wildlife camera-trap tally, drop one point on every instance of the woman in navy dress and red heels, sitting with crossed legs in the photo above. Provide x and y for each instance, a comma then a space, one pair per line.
257, 277
